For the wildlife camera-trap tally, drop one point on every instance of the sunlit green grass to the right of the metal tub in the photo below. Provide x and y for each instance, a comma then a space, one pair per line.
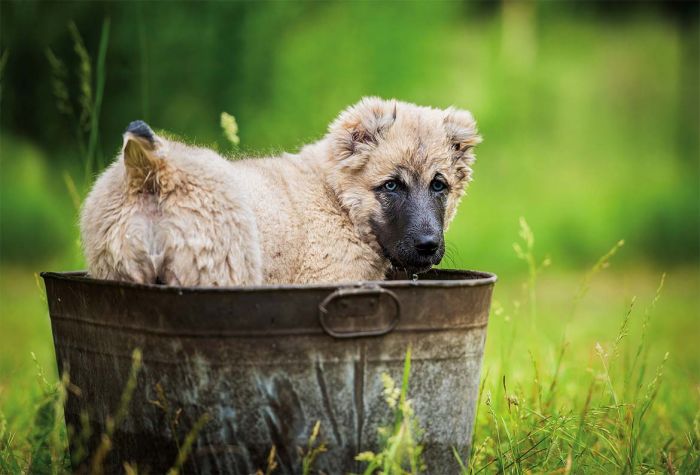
598, 377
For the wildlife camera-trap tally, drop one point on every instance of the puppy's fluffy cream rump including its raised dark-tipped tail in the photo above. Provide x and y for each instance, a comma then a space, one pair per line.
165, 212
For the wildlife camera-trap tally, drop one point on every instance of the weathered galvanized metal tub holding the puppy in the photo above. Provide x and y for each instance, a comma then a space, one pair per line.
265, 363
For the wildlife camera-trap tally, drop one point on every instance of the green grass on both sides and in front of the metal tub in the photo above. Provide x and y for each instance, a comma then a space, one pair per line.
601, 381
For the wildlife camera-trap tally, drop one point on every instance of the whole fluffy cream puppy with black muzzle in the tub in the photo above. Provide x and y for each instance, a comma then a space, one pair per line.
377, 191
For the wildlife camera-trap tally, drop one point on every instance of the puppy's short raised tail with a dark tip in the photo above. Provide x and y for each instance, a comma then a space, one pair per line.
143, 157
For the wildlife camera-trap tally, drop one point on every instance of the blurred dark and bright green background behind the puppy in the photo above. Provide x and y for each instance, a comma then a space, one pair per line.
589, 113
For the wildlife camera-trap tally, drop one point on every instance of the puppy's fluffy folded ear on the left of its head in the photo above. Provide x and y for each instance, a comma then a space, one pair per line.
359, 128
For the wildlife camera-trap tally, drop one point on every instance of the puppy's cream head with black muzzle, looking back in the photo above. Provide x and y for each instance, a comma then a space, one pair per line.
400, 171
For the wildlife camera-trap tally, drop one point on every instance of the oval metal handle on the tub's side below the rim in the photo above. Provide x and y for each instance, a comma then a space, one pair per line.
359, 311
